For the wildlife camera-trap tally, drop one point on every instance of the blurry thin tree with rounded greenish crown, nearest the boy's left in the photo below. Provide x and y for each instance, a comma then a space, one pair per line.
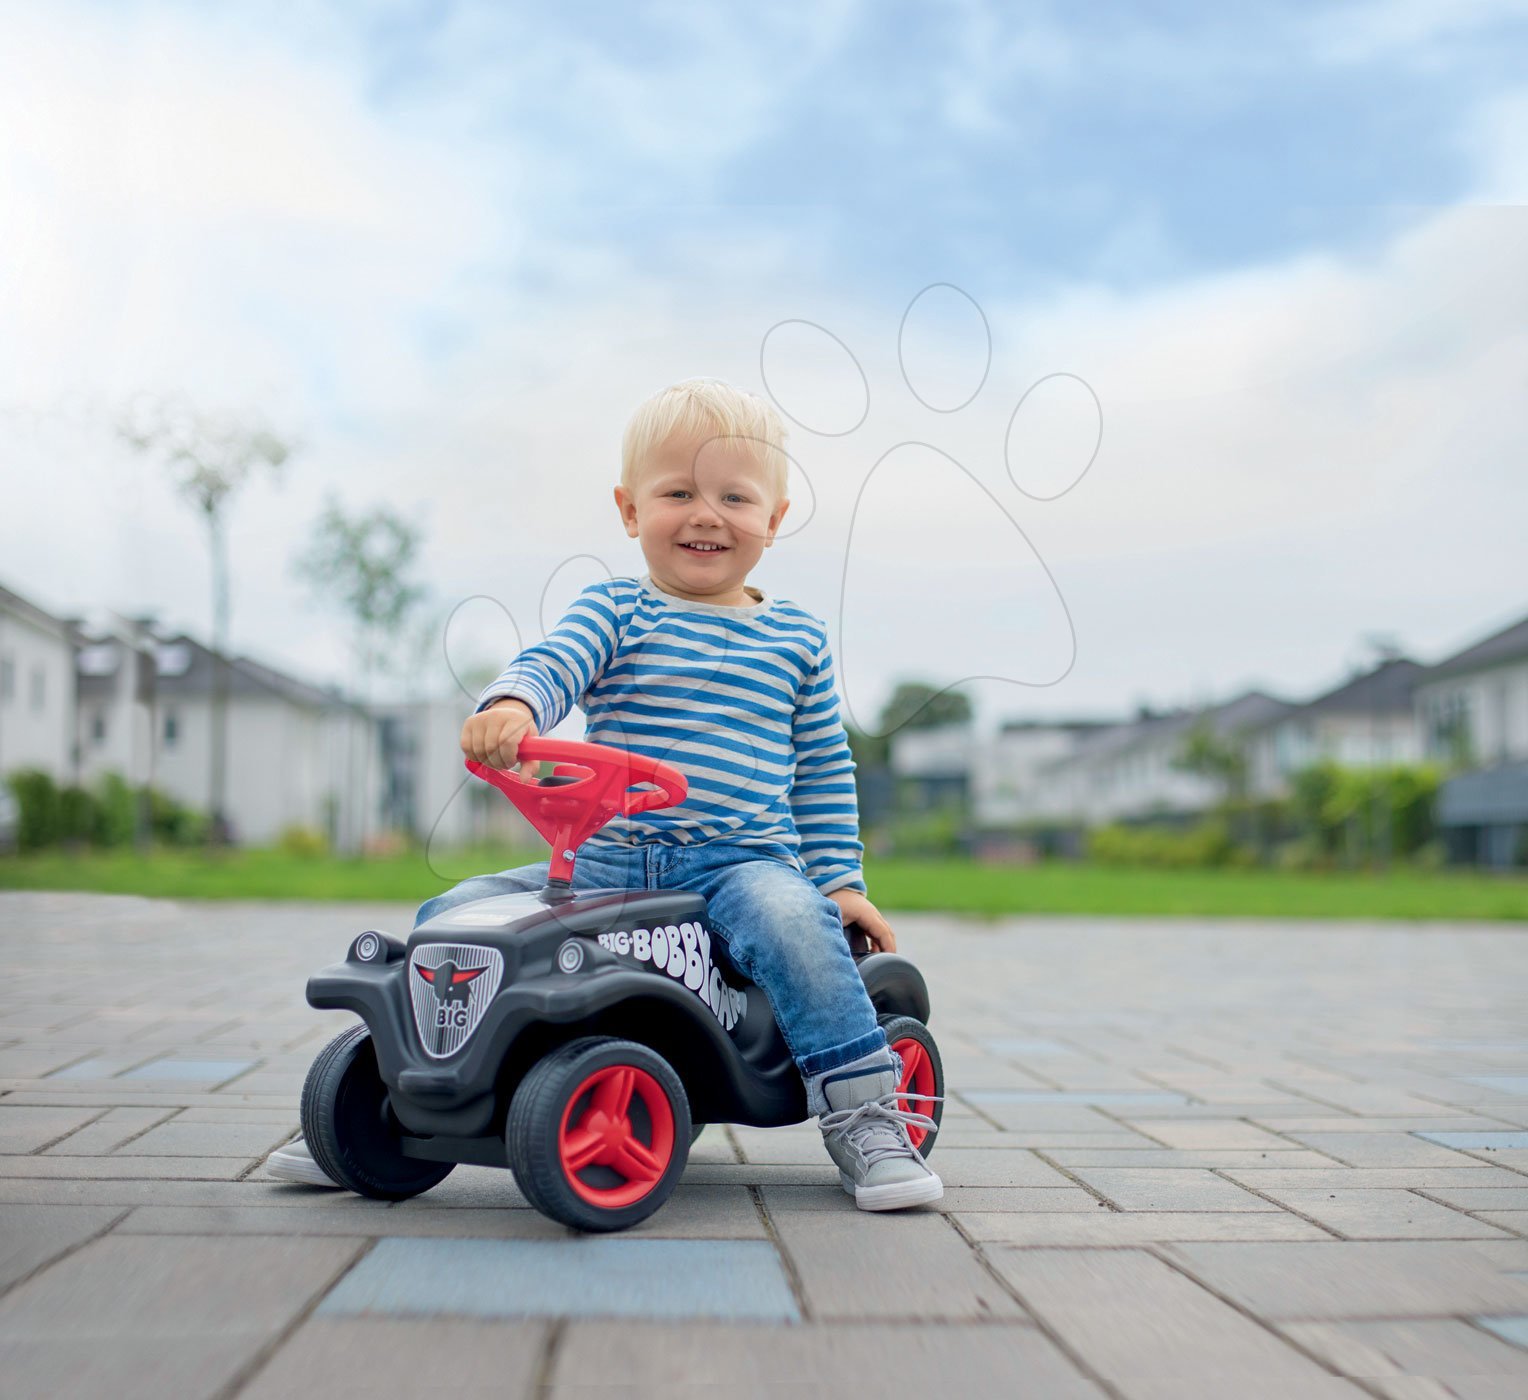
361, 563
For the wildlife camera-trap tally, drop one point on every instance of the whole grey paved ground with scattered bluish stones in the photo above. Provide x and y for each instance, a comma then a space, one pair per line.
1182, 1159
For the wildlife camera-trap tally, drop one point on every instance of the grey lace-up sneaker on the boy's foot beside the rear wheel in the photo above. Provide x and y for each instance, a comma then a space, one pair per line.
867, 1136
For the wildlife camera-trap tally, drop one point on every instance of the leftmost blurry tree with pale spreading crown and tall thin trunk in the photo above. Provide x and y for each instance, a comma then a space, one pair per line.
210, 459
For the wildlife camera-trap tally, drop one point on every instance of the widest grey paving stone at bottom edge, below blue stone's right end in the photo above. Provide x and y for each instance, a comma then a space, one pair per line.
907, 1359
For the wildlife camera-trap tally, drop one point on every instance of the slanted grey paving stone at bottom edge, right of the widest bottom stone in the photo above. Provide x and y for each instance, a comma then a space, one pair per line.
1154, 1334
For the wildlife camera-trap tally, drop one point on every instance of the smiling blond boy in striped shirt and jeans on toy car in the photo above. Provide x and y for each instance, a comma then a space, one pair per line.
737, 690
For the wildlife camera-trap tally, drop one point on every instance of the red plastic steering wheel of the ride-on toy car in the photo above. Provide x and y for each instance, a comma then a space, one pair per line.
569, 812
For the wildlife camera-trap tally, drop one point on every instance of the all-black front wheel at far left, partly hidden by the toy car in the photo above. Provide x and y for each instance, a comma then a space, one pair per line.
349, 1130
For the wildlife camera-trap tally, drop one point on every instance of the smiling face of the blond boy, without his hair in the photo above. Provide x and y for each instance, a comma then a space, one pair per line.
702, 490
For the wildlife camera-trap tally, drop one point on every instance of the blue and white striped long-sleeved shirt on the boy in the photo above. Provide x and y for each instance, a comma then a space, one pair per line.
742, 701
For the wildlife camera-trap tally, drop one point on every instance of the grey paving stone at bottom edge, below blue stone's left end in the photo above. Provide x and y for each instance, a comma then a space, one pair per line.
363, 1356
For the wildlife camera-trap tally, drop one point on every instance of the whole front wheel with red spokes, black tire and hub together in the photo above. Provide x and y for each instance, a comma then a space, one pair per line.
600, 1133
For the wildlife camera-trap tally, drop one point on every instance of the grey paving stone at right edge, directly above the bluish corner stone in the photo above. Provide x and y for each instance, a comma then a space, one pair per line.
1353, 1278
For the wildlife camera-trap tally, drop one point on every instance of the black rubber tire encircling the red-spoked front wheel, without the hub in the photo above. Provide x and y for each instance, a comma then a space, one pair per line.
536, 1124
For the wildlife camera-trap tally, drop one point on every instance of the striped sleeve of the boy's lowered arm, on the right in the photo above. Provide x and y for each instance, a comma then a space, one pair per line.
823, 800
